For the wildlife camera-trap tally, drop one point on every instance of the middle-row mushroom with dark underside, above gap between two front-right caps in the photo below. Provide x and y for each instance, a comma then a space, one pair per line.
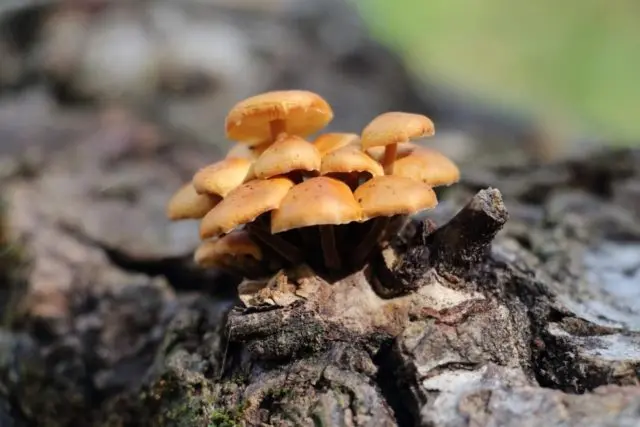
348, 164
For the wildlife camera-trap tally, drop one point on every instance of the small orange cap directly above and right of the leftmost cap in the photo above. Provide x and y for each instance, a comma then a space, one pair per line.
221, 177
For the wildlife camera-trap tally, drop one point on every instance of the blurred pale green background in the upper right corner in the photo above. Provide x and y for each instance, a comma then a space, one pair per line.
573, 63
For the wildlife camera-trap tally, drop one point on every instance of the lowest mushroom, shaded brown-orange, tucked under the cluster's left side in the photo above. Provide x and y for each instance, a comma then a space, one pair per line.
234, 252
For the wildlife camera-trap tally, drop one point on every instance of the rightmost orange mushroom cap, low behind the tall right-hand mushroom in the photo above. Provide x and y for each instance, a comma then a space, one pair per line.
429, 166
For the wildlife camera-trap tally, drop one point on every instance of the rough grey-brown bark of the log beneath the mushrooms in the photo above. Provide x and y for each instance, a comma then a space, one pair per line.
108, 323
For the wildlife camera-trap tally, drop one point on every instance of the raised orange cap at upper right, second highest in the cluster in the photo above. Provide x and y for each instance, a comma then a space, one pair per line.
396, 127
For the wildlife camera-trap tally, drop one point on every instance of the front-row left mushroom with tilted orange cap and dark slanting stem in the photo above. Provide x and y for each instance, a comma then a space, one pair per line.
244, 205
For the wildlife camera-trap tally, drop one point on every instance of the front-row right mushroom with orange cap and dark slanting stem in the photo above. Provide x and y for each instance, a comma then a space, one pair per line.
383, 197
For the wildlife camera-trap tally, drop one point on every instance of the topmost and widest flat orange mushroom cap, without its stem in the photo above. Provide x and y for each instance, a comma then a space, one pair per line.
303, 113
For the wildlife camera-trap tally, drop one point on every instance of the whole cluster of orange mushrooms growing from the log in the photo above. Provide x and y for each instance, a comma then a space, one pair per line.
278, 199
